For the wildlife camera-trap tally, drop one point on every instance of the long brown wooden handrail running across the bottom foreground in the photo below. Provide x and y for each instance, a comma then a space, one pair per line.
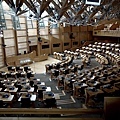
44, 111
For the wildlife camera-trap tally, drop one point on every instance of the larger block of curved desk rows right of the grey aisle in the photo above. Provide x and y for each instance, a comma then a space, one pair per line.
94, 84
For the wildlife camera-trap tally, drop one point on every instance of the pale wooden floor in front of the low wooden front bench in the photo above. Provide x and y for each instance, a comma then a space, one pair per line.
38, 67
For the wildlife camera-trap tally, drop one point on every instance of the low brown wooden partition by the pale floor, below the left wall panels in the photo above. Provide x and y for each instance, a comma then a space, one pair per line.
15, 60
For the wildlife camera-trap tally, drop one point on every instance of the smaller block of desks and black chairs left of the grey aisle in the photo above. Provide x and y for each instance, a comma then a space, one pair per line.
24, 88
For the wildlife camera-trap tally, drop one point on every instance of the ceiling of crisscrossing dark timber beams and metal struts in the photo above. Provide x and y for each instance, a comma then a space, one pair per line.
73, 12
